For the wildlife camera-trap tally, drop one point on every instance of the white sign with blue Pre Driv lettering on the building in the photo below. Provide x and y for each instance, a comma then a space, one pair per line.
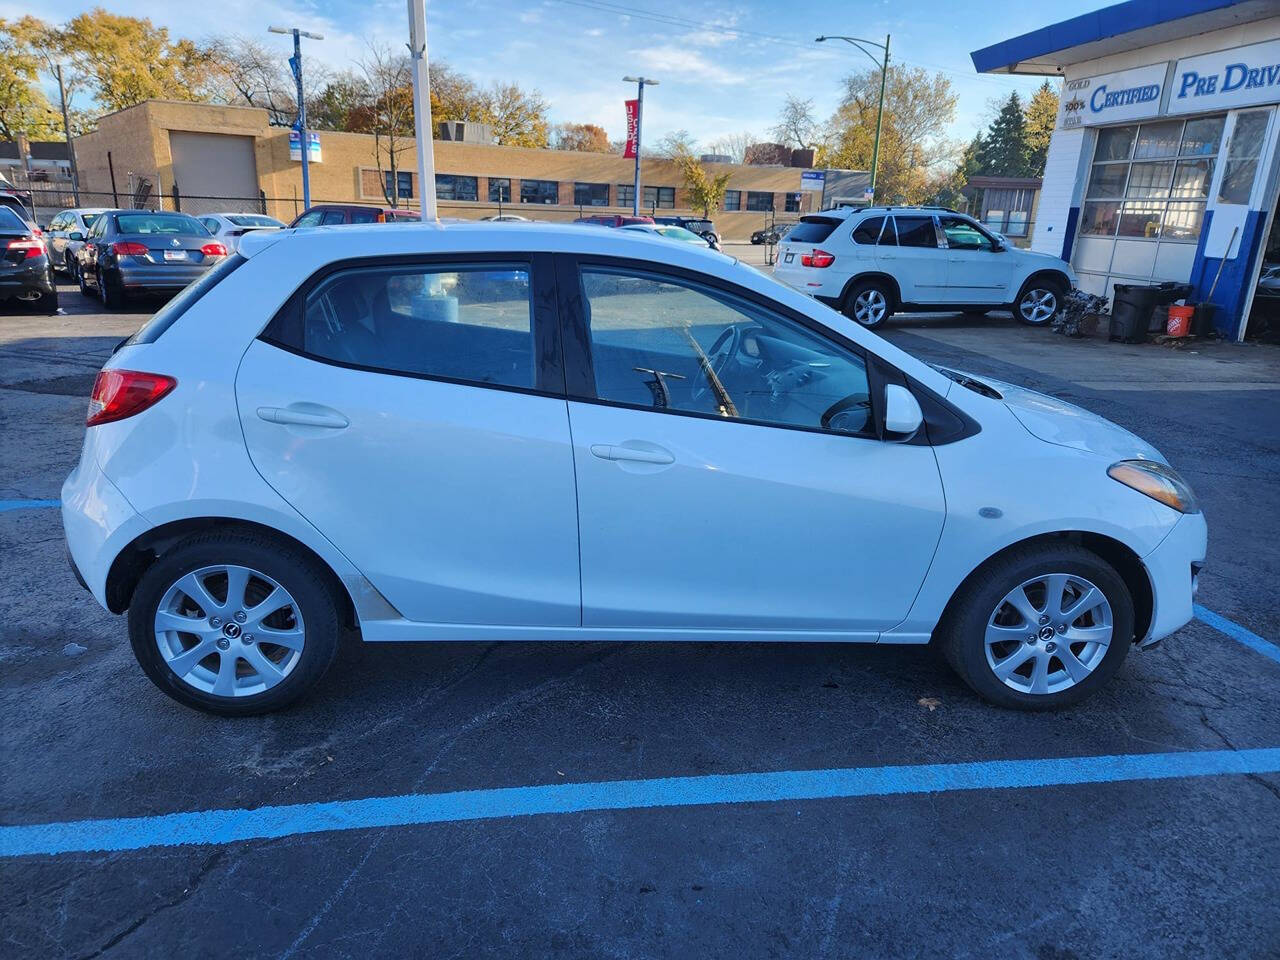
1246, 76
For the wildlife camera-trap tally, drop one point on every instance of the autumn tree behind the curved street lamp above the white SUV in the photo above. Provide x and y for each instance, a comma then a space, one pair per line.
918, 108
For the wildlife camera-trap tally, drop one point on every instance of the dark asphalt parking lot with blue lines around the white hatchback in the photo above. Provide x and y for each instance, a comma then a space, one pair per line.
1032, 848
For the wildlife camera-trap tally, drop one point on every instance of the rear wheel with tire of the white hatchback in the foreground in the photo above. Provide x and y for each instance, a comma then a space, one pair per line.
235, 624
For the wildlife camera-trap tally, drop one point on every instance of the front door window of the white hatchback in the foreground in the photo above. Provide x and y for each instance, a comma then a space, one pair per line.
664, 344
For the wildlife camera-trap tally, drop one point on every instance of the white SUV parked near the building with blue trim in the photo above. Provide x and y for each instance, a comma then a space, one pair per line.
874, 262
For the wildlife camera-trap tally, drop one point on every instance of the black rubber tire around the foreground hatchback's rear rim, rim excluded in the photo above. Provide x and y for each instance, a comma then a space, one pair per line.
303, 578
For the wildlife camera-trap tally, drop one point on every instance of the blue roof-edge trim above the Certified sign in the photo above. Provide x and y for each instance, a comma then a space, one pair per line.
1091, 28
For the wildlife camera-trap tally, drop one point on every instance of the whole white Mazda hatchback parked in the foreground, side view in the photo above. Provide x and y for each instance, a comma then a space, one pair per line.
468, 435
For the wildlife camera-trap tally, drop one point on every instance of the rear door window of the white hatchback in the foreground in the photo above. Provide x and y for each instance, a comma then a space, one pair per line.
456, 322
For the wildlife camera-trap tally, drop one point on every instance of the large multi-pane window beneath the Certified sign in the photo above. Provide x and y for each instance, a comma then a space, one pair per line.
1151, 181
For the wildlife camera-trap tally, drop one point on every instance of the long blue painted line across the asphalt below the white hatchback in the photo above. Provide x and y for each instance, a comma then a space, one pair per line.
216, 828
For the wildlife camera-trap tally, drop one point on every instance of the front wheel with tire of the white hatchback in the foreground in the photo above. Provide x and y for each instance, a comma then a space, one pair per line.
1040, 628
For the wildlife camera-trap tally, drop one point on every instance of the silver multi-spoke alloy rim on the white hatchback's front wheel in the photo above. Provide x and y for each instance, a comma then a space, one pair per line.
1049, 634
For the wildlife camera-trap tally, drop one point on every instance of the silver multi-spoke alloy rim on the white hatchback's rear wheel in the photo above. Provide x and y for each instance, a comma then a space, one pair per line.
230, 630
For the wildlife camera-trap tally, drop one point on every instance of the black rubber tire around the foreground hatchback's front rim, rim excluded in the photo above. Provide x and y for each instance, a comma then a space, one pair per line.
962, 636
